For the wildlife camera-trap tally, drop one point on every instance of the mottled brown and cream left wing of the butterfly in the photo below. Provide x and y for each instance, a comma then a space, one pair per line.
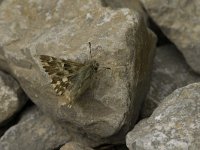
61, 72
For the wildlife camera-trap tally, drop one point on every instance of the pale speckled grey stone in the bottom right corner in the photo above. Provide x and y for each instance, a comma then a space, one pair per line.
175, 124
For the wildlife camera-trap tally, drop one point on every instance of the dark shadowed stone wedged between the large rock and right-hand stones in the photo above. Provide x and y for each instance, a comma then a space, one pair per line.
170, 72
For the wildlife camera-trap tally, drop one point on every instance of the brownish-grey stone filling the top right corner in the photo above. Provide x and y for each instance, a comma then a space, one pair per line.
180, 22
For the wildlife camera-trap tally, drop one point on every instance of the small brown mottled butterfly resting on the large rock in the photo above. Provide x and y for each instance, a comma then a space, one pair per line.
69, 78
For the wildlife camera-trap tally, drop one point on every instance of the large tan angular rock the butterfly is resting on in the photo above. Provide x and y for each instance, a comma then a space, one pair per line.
120, 40
